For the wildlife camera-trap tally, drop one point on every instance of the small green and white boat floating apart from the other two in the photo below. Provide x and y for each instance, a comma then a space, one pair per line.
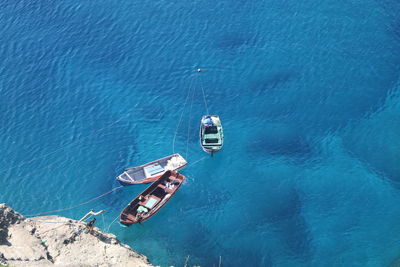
211, 133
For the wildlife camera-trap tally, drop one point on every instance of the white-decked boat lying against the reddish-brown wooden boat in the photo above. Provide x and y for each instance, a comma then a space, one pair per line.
151, 171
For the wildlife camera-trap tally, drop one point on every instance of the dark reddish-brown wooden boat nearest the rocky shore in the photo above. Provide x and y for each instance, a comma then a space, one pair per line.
152, 199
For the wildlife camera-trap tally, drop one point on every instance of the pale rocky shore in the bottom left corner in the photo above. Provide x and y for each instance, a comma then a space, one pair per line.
55, 240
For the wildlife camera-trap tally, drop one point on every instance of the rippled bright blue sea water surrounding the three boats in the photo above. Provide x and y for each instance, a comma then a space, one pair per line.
308, 93
